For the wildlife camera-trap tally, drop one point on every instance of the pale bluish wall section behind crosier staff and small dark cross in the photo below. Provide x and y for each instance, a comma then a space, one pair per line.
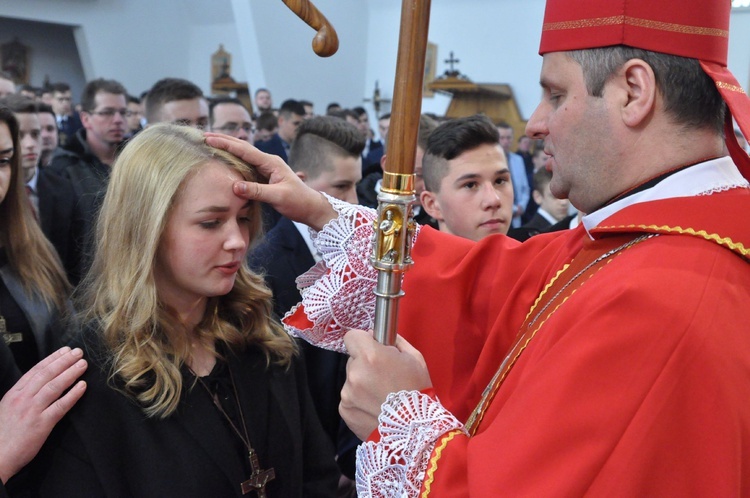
484, 35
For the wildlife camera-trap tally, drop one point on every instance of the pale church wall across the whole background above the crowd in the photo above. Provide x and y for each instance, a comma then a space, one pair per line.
140, 41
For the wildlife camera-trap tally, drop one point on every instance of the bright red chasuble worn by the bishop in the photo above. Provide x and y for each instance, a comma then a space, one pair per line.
636, 379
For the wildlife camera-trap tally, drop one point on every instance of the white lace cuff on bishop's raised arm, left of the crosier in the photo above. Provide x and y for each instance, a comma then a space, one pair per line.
337, 293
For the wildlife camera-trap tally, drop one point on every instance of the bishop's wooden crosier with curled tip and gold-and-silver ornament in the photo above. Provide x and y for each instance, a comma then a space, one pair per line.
394, 226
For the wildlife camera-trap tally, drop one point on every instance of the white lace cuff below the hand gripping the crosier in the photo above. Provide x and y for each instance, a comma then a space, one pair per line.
410, 425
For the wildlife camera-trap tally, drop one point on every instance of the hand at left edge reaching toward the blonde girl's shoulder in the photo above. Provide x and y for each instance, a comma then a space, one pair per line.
32, 407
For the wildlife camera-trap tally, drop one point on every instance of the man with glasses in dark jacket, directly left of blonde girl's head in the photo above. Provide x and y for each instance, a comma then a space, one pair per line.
71, 187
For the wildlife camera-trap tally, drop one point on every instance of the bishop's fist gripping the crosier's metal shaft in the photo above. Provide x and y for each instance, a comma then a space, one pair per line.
372, 373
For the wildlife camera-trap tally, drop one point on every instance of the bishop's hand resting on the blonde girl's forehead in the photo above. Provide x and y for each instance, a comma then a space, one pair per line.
285, 191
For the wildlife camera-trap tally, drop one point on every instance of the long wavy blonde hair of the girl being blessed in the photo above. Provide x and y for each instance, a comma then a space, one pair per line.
147, 346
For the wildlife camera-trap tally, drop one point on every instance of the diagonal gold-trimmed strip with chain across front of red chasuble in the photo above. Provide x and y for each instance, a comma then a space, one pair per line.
585, 264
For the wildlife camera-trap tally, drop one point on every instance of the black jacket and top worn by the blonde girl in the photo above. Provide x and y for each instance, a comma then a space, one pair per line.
107, 447
